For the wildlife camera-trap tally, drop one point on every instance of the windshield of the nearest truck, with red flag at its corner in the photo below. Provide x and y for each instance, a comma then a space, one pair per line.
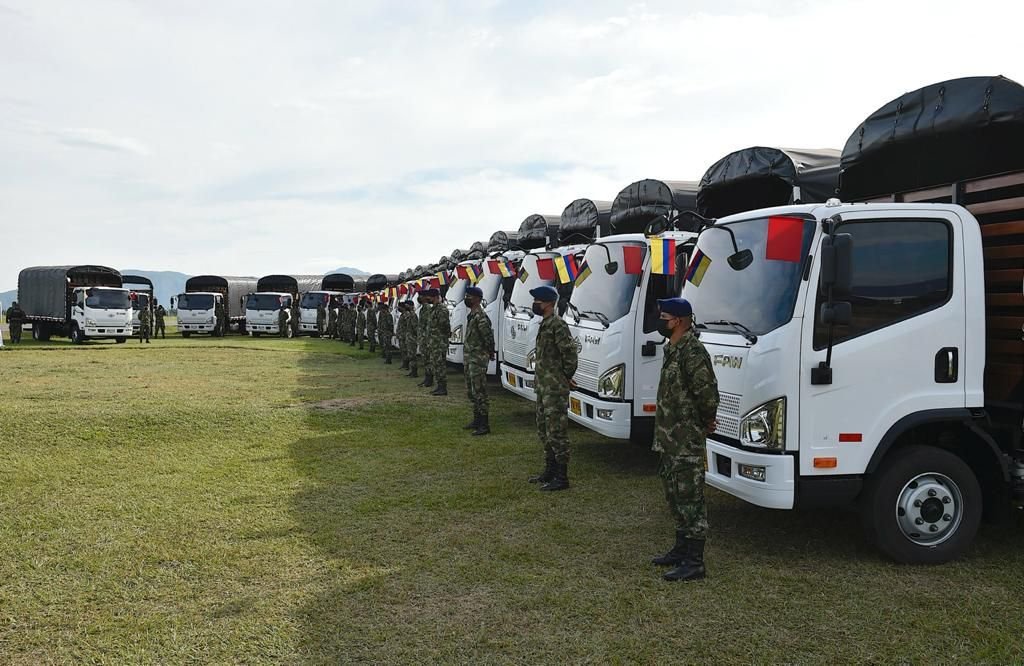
760, 298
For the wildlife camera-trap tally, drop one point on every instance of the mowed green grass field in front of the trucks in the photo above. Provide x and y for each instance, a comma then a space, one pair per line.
296, 502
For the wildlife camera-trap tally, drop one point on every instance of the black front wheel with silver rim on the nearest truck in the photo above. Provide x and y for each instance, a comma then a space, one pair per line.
921, 479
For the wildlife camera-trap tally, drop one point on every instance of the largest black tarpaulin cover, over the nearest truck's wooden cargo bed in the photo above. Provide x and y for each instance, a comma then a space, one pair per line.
945, 133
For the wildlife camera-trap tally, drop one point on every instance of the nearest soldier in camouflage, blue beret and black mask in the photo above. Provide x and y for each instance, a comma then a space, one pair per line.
688, 405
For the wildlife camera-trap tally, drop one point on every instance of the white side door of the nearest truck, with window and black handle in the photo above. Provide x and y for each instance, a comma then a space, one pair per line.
903, 352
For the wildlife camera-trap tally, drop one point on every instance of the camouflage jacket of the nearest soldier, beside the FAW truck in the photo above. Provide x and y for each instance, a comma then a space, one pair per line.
688, 398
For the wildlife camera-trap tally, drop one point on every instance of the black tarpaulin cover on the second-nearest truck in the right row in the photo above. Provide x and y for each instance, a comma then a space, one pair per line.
762, 178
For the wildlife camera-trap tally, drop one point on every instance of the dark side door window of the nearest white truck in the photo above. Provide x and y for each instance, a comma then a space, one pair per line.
902, 269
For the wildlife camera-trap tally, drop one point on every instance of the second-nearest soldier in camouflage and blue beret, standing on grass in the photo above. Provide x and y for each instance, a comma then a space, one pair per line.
556, 365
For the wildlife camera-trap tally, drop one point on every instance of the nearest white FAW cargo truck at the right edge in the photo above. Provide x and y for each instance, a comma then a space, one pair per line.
871, 355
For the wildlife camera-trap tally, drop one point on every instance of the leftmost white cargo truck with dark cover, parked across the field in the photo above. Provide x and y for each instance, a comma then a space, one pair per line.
83, 303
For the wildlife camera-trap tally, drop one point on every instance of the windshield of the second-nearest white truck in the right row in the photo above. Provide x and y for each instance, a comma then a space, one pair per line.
602, 295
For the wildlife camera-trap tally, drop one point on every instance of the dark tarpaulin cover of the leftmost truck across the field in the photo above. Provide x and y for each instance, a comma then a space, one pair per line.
42, 292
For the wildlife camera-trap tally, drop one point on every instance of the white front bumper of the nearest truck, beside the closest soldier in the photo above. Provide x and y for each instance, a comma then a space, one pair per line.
778, 491
